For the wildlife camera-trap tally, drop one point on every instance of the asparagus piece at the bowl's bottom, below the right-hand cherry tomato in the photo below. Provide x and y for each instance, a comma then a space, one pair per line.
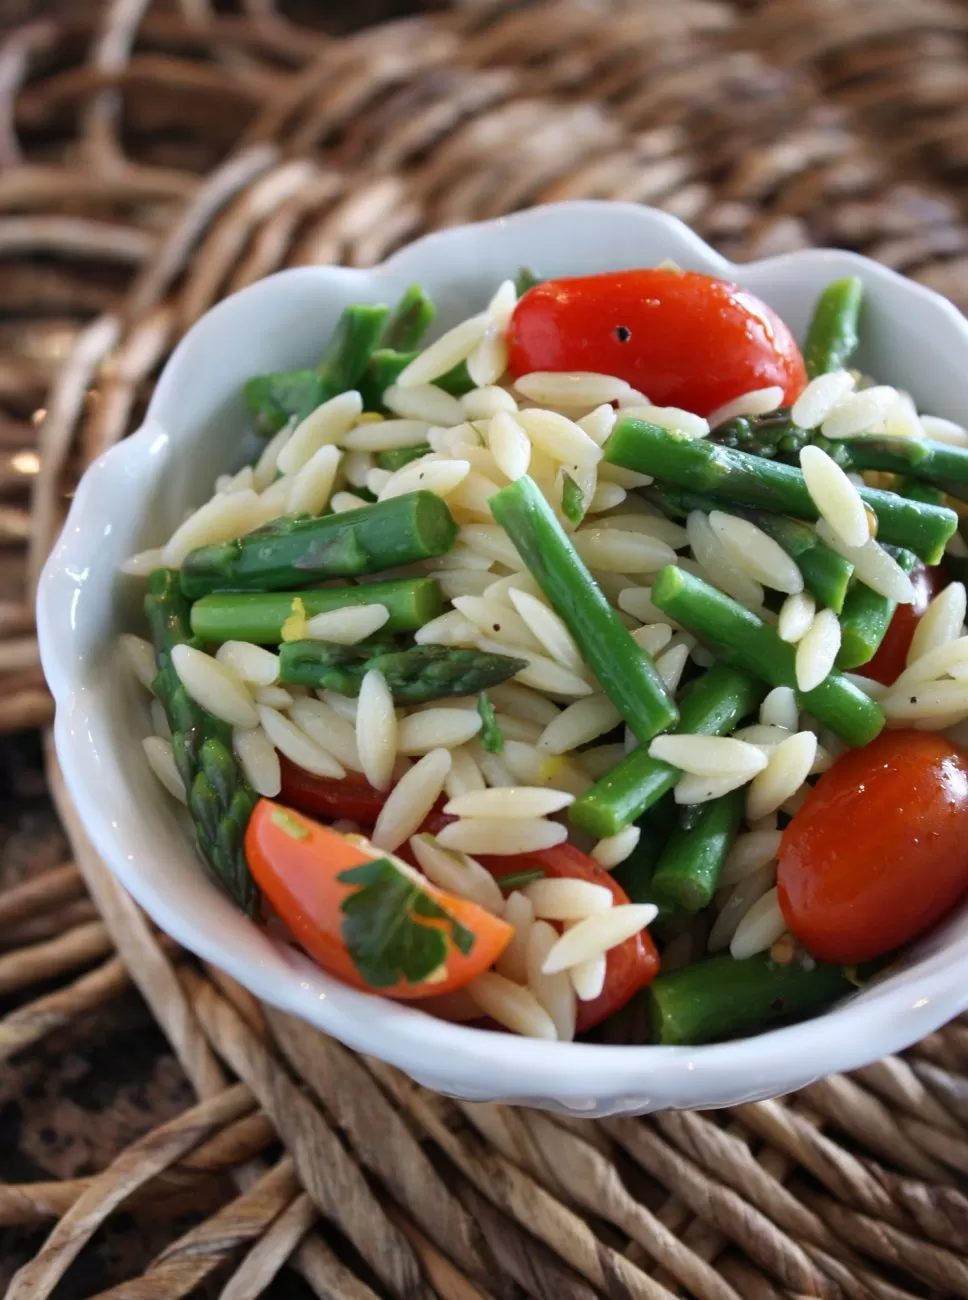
727, 999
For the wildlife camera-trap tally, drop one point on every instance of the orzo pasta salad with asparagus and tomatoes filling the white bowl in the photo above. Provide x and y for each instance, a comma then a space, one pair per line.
598, 668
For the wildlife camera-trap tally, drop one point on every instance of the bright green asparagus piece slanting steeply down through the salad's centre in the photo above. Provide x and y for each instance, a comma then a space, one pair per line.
627, 673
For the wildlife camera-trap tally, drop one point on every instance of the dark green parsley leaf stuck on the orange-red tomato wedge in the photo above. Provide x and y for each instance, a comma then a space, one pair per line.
383, 926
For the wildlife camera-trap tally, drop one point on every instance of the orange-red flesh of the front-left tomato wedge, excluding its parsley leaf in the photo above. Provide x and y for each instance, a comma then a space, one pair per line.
297, 864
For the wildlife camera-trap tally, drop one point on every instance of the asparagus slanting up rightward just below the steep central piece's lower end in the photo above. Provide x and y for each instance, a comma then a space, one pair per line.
713, 705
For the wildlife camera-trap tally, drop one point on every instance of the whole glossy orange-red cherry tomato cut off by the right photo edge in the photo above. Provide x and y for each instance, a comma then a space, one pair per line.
879, 852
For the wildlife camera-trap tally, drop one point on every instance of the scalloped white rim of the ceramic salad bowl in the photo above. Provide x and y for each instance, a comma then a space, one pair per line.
455, 1059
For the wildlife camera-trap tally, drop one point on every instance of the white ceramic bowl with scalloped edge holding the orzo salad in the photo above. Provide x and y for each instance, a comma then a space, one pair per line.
196, 428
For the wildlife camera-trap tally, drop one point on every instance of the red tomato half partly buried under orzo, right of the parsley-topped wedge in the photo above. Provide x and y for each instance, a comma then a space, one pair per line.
630, 967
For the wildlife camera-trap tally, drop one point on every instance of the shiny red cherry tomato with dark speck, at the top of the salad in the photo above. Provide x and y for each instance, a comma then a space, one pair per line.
683, 339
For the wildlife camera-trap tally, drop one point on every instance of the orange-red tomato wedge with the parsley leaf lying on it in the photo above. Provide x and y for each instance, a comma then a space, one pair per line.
374, 928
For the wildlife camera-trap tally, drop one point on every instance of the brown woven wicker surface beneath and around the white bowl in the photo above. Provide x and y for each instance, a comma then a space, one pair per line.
162, 157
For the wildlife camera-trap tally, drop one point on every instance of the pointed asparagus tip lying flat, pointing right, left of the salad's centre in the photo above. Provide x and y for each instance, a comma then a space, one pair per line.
414, 675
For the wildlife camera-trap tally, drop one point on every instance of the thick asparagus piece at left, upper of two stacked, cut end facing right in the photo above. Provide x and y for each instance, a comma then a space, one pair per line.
401, 531
